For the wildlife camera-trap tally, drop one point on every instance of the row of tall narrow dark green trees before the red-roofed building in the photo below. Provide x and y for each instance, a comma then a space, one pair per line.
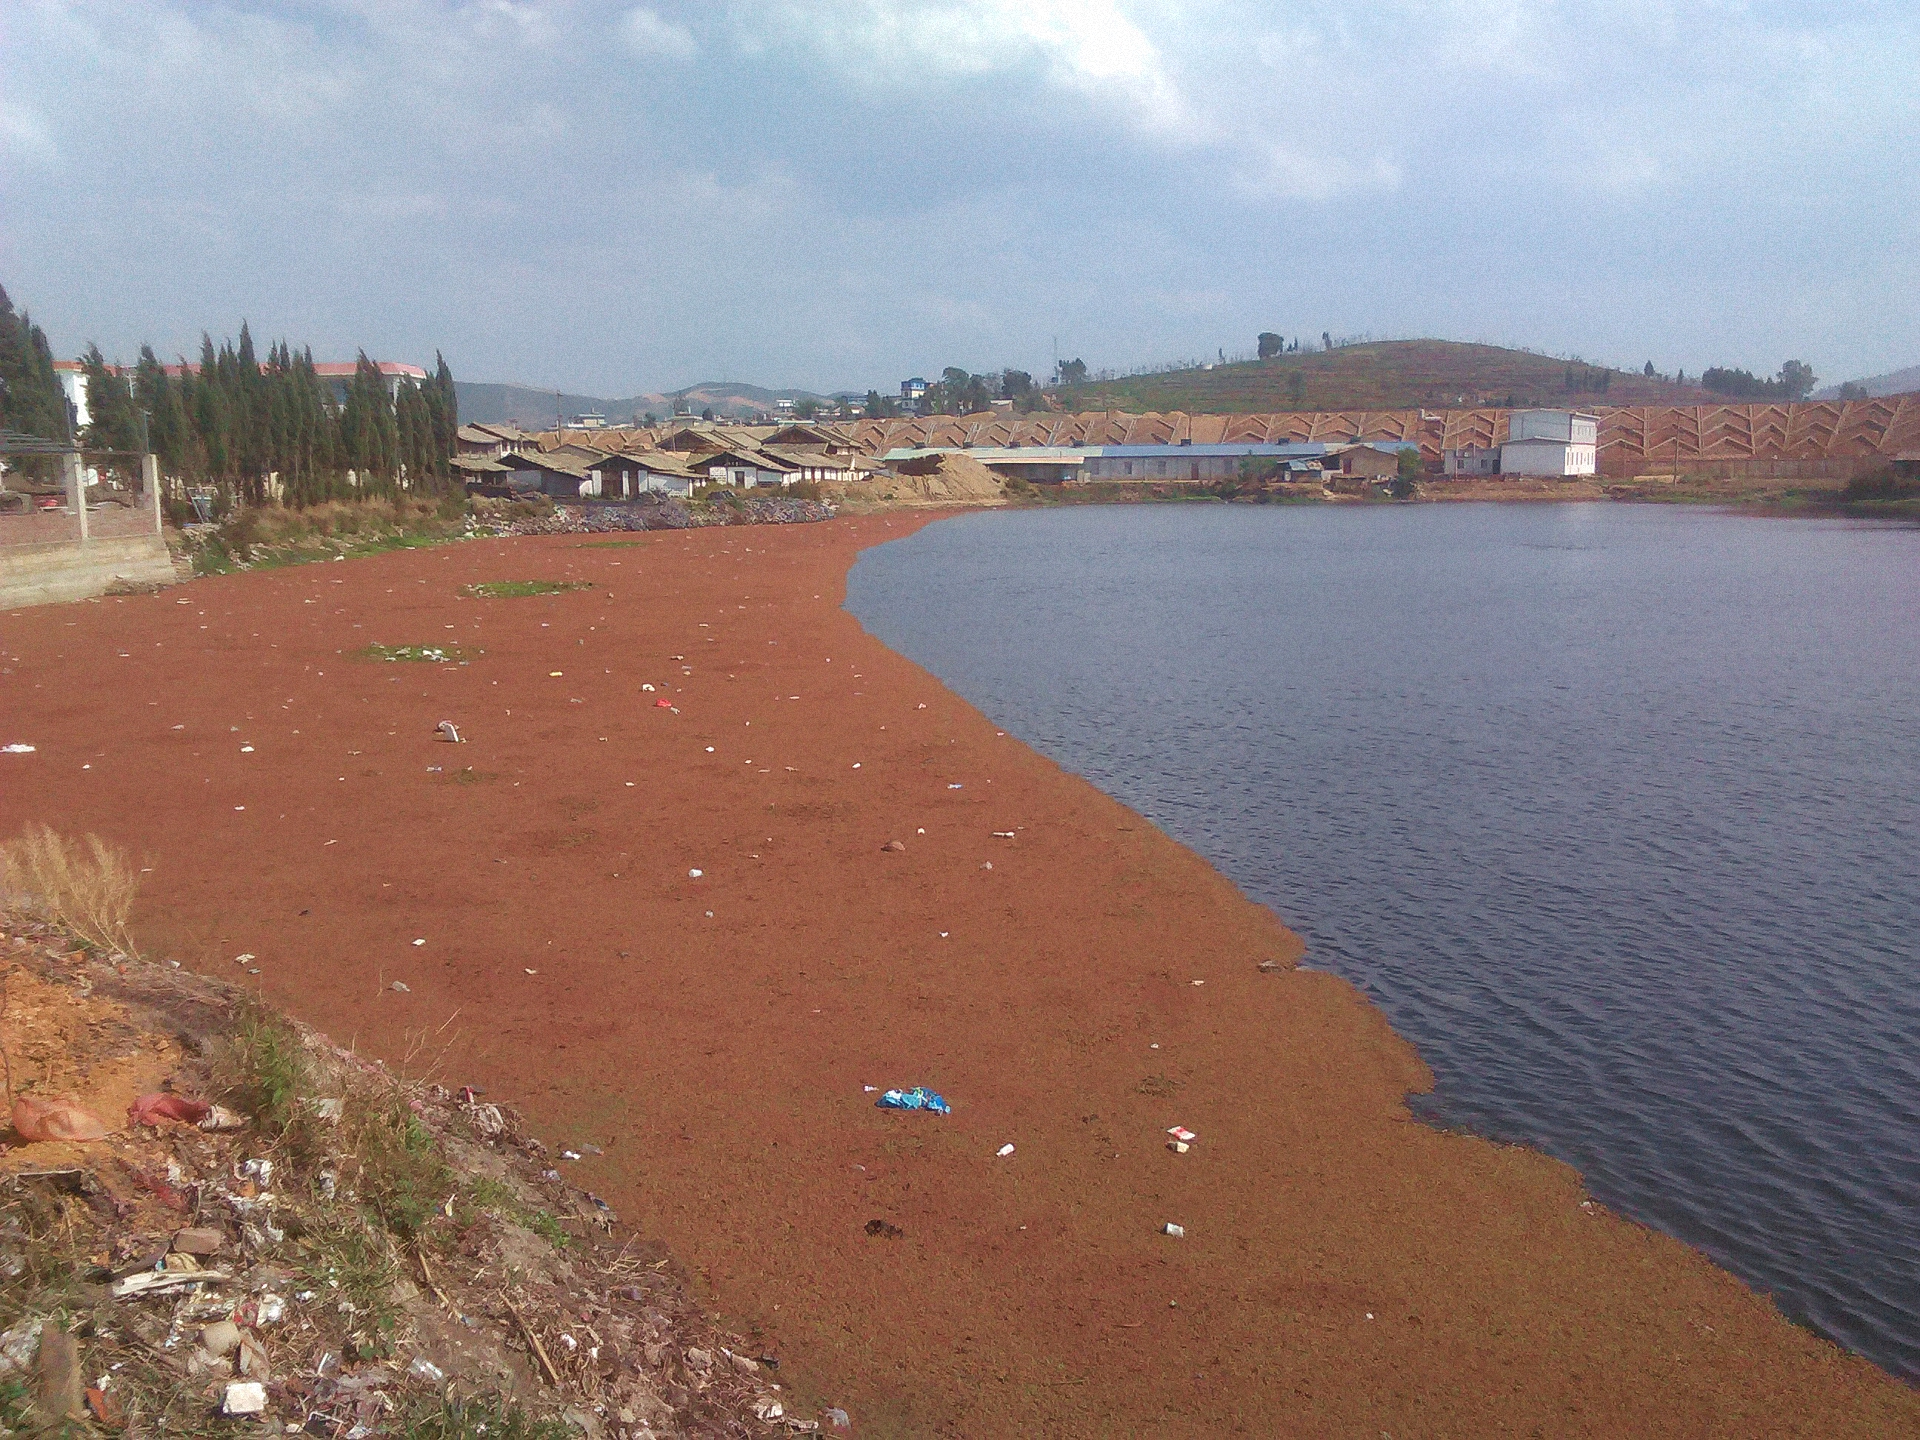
237, 425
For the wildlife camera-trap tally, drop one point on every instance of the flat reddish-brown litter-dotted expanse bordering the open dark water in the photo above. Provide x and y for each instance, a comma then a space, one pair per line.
1345, 1268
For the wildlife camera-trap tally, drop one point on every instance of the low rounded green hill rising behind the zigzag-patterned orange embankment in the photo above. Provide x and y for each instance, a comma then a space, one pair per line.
1380, 377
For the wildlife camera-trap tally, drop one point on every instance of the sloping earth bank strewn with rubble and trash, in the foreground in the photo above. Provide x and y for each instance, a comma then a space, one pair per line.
279, 1236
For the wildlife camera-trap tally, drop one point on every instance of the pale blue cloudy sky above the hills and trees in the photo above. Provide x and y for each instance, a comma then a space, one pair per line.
621, 199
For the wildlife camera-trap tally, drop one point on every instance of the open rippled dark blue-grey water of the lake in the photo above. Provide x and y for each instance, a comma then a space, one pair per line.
1616, 811
